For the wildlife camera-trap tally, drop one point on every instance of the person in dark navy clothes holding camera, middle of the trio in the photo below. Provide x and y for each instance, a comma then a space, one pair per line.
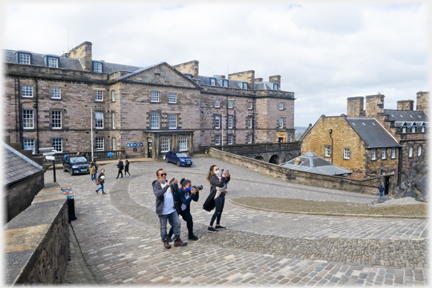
183, 198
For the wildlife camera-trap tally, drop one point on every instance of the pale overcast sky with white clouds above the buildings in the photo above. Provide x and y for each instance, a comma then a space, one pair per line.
324, 53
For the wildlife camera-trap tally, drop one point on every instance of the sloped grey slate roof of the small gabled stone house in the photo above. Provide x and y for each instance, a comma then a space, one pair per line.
372, 133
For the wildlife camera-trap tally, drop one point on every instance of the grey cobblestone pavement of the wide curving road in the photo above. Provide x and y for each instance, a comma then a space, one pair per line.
119, 236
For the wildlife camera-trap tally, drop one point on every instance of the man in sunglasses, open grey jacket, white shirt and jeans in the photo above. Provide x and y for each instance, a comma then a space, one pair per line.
164, 191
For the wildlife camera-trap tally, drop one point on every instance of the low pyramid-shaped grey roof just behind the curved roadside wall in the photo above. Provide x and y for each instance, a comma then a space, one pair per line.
310, 162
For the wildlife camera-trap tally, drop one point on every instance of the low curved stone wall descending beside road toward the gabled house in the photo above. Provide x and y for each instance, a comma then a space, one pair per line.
365, 186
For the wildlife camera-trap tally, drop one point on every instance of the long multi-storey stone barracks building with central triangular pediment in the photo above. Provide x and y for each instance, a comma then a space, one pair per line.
55, 100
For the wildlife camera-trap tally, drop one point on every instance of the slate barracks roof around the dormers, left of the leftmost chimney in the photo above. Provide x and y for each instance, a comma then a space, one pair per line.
38, 60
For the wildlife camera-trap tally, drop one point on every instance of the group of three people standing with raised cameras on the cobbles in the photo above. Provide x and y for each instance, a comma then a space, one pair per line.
172, 201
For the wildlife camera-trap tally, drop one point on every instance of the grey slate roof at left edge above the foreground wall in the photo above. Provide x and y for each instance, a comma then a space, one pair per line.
17, 166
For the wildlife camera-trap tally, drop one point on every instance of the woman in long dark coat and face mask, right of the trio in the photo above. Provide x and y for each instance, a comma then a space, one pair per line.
216, 198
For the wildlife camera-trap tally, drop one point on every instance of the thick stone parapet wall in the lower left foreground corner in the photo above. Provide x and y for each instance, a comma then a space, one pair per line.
36, 242
